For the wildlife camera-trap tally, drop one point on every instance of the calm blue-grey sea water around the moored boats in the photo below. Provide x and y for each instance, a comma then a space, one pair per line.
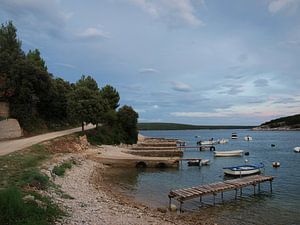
152, 186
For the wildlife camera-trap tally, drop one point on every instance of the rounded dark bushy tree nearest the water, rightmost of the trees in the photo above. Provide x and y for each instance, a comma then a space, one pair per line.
128, 121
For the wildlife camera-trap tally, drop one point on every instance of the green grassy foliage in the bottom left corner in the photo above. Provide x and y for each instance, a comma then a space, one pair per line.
14, 211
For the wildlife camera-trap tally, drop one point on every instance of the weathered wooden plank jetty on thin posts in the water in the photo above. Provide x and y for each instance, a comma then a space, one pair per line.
184, 194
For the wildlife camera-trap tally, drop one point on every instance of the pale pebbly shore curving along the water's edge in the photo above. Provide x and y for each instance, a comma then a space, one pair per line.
95, 202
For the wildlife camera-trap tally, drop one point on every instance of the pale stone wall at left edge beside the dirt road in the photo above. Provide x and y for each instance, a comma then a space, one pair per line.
10, 128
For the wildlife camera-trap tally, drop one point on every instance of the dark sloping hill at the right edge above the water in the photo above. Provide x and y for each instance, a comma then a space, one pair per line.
283, 123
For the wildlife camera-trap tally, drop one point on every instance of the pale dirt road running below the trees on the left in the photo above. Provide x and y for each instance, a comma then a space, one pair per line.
7, 147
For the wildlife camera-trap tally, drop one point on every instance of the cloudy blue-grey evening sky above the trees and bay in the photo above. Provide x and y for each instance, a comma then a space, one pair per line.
209, 62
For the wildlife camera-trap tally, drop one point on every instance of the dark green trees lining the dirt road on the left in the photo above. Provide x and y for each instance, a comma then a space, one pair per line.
41, 101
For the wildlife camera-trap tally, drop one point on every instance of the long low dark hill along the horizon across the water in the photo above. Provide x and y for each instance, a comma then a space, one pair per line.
176, 126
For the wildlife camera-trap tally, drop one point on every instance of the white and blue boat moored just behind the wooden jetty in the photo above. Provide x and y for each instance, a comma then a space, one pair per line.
243, 170
